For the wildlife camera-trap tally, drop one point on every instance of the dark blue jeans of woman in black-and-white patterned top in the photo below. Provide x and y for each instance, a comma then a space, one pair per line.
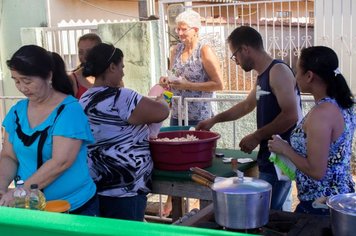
126, 208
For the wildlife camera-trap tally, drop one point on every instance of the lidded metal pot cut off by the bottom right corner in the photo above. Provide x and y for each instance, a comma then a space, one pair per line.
343, 213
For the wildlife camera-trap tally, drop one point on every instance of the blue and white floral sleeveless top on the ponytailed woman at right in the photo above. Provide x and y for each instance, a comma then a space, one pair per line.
338, 177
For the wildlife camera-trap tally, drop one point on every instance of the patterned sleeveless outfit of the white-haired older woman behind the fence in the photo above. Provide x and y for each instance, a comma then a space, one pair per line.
193, 71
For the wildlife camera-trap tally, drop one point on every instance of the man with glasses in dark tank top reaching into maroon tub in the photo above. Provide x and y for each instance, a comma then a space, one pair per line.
275, 96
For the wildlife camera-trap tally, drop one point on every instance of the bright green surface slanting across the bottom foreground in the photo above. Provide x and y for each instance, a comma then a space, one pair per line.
24, 222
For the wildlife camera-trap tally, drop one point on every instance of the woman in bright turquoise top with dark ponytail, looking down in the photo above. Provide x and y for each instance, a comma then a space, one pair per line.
46, 134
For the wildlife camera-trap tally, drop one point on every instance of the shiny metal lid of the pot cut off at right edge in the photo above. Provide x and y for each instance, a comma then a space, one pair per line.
344, 203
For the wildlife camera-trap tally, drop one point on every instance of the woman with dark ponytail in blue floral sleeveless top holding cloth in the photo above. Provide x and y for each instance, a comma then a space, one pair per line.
321, 145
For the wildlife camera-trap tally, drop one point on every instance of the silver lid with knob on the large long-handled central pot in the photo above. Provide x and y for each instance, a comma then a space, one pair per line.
244, 185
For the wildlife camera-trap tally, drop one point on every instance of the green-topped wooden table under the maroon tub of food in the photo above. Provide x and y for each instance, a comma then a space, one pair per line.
179, 185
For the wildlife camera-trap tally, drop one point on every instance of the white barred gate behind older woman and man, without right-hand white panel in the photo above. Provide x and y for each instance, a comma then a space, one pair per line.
286, 28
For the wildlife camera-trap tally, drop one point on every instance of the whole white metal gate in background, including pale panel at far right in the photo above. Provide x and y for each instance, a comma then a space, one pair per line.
286, 26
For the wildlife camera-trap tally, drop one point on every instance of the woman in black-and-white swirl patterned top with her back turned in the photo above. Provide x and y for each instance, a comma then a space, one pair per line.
120, 159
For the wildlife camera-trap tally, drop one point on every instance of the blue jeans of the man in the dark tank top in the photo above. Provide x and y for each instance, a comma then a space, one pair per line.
280, 189
